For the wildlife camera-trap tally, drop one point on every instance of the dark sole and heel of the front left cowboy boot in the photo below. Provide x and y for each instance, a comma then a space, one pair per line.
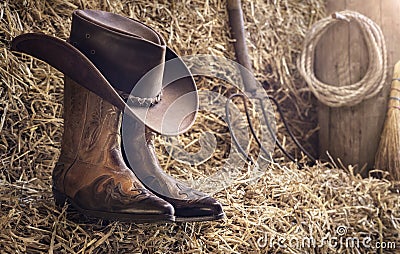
60, 199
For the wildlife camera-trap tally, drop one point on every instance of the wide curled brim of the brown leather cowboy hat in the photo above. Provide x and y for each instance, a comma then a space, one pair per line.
173, 115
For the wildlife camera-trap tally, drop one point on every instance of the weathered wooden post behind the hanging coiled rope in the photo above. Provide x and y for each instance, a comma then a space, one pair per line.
352, 134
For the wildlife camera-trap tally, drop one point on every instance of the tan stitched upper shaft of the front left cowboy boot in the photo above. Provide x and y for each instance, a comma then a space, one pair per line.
91, 126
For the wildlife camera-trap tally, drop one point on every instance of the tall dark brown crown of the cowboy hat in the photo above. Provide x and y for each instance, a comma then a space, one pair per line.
122, 49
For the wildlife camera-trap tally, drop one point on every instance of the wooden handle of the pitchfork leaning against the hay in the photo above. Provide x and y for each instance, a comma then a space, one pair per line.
242, 56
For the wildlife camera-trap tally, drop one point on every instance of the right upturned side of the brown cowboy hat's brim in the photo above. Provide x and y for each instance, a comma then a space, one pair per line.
176, 112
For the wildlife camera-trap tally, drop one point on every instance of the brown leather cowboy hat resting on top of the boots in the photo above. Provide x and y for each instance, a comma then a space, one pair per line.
130, 66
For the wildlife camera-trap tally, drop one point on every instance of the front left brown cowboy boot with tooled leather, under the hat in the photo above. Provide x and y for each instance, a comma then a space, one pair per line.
91, 172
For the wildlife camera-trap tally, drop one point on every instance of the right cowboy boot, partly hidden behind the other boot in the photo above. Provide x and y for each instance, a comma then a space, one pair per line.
139, 152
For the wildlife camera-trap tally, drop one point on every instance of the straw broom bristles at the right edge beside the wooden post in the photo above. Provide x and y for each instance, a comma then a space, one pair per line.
388, 154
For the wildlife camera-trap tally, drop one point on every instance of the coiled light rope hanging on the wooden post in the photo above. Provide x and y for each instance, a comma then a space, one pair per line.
374, 78
